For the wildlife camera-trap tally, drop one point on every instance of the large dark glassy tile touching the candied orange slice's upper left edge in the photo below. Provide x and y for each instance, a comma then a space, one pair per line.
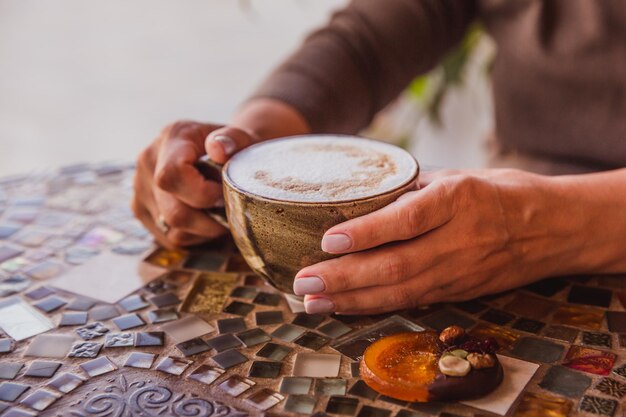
354, 346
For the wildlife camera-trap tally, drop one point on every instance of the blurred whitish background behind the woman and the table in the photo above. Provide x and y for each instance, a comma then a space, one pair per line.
96, 80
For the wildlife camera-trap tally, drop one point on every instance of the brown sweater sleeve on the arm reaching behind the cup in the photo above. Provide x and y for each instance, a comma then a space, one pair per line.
364, 57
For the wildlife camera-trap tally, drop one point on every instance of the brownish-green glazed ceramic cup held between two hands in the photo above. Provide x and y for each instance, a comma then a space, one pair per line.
277, 238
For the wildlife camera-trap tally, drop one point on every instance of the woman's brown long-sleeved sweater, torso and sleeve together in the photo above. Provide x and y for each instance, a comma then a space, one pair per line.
559, 77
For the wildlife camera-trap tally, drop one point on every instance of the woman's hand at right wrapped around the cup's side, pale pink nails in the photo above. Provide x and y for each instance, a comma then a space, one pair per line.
462, 235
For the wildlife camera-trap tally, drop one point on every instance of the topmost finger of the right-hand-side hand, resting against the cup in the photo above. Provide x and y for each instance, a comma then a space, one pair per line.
416, 213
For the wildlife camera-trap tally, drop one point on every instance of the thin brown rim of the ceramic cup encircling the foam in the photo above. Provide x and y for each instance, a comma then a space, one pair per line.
227, 180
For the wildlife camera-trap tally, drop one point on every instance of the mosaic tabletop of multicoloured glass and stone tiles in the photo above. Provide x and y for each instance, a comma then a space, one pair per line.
208, 338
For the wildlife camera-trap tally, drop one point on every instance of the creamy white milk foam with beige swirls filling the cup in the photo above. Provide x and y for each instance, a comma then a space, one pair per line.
320, 168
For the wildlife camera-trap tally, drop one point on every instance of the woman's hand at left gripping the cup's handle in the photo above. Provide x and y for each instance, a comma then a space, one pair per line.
170, 193
